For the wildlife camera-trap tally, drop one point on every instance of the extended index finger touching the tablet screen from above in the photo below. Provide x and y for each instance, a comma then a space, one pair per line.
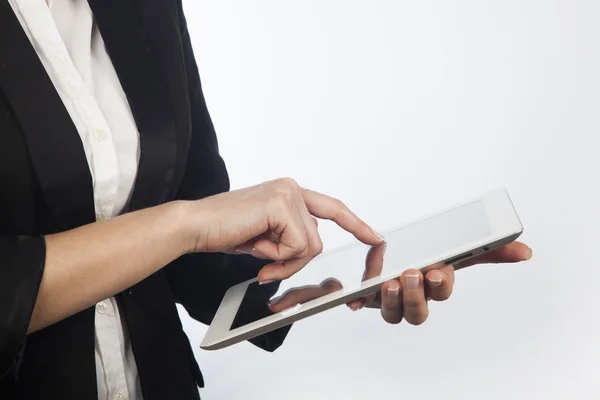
325, 207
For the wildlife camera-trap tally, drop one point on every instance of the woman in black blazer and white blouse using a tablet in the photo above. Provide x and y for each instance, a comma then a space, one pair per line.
115, 207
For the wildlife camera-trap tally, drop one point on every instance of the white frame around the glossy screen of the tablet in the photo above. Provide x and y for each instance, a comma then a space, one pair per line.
505, 227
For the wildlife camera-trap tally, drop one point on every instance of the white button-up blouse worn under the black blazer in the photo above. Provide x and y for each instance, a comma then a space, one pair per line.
72, 51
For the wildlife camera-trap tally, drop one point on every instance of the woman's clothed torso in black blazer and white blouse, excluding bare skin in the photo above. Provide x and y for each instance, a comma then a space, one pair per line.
101, 111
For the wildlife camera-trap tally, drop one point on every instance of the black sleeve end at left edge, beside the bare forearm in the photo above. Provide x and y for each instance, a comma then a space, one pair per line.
22, 261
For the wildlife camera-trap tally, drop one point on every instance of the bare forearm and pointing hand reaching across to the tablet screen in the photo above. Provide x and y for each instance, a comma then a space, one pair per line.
276, 218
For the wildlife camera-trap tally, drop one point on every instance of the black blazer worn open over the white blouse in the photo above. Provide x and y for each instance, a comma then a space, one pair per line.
46, 188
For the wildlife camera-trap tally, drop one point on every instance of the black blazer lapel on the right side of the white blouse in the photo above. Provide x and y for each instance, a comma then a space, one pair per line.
136, 62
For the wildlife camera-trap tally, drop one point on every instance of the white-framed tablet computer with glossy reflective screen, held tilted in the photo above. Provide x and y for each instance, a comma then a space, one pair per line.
351, 272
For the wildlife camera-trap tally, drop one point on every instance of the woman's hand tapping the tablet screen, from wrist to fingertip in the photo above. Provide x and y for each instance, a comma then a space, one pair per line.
274, 220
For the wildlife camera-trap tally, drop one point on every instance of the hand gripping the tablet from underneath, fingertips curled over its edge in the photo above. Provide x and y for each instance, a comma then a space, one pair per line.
407, 297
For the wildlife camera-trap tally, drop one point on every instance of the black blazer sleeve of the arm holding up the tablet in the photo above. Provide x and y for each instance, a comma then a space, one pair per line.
199, 281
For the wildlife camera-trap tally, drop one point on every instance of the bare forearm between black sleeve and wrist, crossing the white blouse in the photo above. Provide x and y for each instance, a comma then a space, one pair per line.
96, 261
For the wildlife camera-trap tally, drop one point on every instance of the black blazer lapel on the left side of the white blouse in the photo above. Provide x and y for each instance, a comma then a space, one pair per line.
55, 147
